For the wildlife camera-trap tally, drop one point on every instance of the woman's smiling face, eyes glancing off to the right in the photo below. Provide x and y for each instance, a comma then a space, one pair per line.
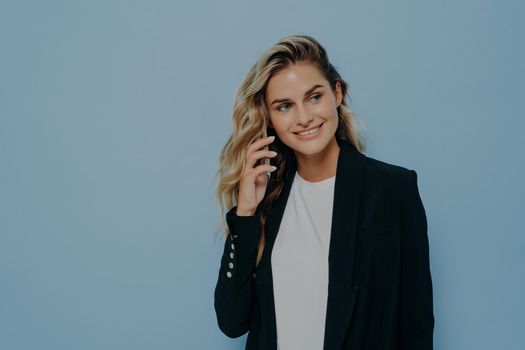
299, 98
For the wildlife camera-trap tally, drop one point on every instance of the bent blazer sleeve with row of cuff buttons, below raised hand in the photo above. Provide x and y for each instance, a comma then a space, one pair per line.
234, 291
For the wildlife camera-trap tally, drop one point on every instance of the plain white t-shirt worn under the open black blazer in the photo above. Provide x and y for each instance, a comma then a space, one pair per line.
300, 265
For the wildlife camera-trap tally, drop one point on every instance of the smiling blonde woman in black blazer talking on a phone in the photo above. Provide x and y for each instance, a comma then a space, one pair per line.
325, 248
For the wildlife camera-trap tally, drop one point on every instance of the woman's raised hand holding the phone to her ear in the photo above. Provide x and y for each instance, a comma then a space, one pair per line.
254, 178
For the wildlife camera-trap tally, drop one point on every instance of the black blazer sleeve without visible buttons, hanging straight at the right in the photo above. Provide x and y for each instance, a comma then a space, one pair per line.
417, 316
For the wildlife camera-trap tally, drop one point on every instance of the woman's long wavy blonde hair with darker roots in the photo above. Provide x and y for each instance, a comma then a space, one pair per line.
250, 116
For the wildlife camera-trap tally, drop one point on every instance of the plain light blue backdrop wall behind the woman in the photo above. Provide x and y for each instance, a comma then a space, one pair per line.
113, 114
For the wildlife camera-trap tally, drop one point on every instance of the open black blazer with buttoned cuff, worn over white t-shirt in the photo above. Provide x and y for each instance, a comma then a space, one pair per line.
380, 286
